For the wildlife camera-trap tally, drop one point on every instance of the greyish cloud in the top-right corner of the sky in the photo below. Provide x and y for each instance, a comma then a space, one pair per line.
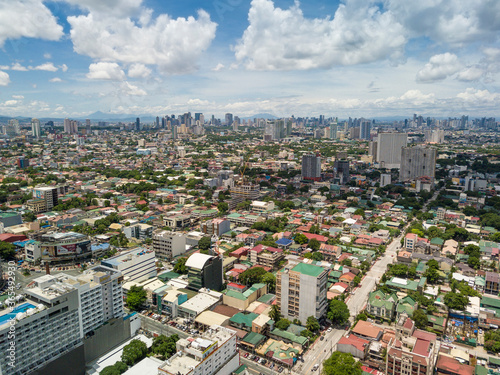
449, 21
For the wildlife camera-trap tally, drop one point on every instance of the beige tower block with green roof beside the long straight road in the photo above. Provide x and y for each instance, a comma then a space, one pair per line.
301, 291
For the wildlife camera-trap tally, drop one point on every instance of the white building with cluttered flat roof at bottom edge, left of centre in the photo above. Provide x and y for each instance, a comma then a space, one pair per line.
215, 353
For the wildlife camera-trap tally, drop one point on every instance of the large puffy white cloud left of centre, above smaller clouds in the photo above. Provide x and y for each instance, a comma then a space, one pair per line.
174, 45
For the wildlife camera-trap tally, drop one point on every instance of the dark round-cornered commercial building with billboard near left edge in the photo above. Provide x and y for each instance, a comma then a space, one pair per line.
62, 247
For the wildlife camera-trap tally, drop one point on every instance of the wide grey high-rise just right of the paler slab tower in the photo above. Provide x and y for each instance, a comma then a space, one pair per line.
417, 162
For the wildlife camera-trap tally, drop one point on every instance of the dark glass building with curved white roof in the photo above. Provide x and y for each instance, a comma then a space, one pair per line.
204, 271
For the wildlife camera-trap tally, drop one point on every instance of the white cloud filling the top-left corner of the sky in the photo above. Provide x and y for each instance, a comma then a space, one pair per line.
37, 21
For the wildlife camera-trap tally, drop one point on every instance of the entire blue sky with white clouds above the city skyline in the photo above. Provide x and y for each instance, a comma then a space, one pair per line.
70, 58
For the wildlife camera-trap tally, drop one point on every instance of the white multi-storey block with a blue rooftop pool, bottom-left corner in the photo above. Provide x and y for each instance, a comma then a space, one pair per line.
46, 327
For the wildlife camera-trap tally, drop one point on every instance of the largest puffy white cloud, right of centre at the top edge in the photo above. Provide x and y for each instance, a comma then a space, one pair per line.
278, 39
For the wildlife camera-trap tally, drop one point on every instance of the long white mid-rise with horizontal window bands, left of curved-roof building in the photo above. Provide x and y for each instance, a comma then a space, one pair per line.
135, 265
